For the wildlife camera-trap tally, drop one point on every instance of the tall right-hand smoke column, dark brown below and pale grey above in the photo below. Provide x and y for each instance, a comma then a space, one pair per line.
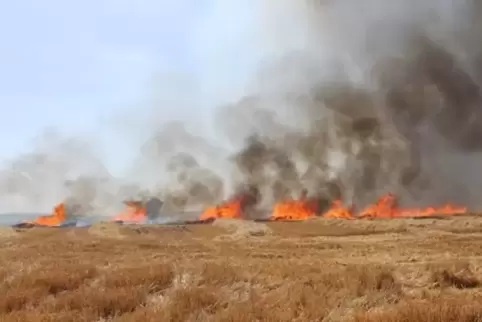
358, 99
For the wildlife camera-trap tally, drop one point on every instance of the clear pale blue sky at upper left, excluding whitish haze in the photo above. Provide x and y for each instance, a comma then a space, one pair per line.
78, 65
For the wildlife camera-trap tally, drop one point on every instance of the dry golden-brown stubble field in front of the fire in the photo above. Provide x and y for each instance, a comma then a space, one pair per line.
318, 270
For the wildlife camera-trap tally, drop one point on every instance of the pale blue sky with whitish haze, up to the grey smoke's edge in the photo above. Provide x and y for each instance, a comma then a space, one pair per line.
103, 69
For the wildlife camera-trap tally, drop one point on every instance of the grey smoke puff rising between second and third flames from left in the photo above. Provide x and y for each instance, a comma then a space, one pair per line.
178, 162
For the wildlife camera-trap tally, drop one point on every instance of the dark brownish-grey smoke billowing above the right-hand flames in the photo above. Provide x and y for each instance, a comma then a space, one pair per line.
423, 109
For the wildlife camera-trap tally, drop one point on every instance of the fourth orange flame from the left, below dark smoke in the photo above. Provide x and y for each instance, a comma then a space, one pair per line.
294, 210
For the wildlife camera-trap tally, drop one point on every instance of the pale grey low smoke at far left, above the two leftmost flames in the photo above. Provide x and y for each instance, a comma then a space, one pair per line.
62, 169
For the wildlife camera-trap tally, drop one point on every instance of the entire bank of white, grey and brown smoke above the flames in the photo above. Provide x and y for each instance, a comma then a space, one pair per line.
342, 99
